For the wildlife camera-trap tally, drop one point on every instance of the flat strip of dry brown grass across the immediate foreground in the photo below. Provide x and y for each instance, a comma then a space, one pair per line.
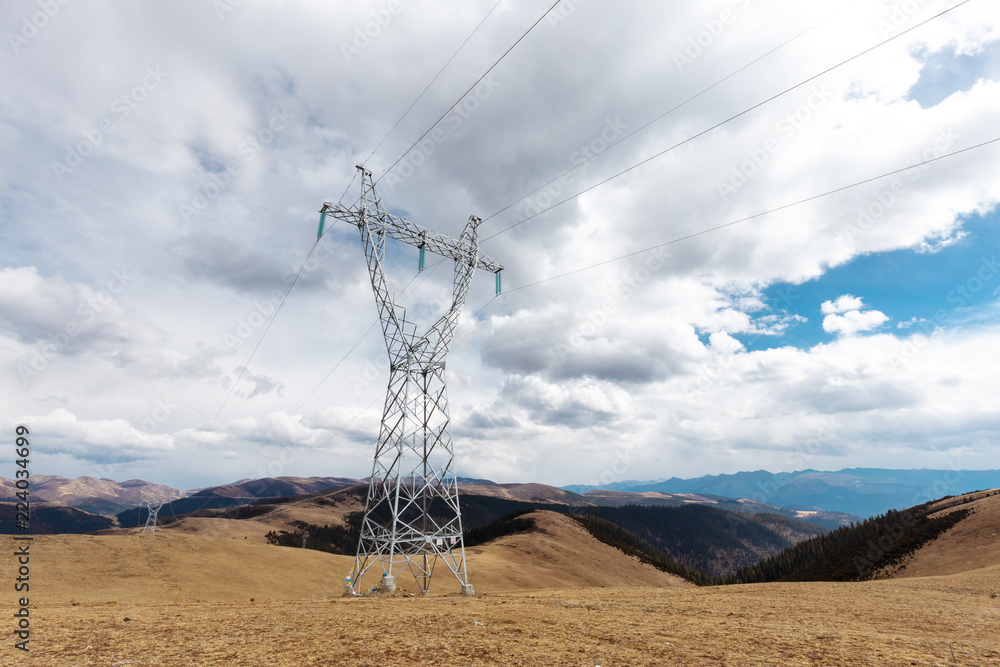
921, 621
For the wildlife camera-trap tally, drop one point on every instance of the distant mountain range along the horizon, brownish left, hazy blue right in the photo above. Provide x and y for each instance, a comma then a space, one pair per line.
825, 498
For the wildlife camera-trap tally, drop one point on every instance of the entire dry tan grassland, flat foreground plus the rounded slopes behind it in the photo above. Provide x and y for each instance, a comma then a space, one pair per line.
555, 597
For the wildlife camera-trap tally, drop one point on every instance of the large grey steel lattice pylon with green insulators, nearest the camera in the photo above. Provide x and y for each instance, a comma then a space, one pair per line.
412, 517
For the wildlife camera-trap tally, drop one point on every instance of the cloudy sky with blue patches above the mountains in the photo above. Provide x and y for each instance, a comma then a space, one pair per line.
735, 235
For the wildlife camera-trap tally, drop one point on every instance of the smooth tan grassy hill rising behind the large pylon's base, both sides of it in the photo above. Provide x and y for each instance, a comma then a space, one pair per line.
172, 565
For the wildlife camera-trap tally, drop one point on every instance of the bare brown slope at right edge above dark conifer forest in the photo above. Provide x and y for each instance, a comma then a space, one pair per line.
971, 544
